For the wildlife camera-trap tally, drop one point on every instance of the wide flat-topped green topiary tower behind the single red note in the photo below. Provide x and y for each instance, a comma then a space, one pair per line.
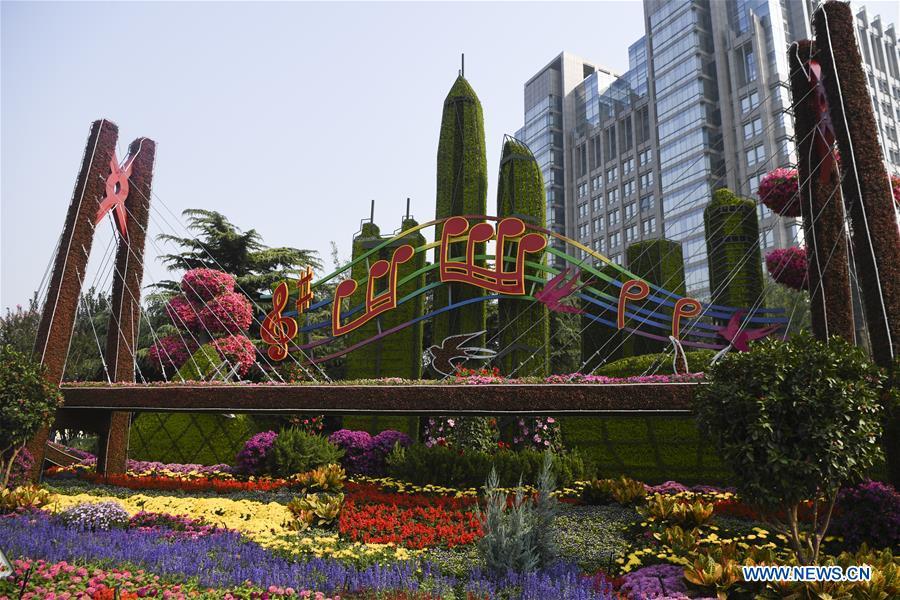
661, 263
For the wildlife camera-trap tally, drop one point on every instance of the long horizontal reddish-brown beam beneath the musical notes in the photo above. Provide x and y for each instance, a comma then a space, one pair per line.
533, 399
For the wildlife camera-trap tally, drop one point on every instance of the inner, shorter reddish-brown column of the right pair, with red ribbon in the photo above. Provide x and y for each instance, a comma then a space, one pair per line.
821, 205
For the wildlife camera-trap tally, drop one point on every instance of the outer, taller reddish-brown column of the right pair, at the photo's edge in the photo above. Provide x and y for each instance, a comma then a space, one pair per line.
867, 192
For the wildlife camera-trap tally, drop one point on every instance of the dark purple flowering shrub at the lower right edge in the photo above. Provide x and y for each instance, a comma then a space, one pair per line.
869, 513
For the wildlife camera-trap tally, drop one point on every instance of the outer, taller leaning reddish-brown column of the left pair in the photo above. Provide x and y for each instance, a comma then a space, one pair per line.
51, 346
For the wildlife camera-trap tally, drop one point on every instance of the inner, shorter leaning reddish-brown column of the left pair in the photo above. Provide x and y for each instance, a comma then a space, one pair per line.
124, 321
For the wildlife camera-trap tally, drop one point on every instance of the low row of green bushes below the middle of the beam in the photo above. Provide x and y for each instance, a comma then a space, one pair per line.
440, 465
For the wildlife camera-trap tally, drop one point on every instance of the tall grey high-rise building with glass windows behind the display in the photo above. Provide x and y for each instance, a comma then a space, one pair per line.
703, 105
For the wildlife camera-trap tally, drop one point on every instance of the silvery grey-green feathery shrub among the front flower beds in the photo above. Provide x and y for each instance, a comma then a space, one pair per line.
518, 536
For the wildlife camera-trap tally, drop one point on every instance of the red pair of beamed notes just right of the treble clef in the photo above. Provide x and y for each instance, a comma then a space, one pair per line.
376, 304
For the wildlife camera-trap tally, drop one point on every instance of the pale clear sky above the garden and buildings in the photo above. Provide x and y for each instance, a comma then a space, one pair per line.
287, 118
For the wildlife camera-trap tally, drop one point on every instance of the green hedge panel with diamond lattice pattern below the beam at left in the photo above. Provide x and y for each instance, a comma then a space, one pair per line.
205, 439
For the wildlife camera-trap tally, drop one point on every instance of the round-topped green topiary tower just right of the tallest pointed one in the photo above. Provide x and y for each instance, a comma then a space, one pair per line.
524, 326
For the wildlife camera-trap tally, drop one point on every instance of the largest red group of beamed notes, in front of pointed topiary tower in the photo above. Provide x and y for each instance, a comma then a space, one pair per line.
497, 279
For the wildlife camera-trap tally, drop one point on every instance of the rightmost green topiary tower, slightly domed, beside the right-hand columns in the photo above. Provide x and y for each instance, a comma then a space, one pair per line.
732, 246
